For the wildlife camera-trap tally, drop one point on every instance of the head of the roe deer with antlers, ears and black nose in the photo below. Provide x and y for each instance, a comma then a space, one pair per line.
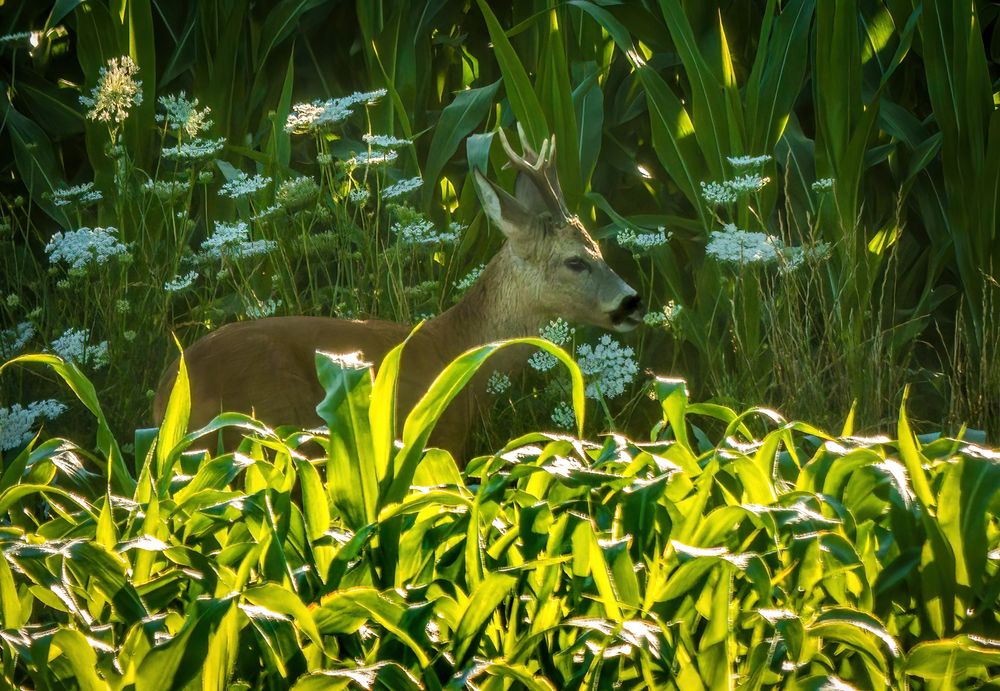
559, 265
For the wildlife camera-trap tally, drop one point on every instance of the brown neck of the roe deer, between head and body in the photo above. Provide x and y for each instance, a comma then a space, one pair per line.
497, 306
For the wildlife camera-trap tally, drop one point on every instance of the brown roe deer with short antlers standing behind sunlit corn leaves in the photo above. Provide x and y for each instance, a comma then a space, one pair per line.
548, 267
